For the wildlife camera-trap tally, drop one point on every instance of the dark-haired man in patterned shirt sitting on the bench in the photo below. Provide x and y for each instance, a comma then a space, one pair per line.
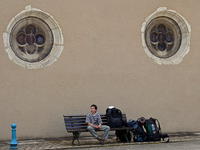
93, 119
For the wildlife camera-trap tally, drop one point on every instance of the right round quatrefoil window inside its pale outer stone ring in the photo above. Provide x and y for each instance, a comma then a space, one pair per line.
163, 37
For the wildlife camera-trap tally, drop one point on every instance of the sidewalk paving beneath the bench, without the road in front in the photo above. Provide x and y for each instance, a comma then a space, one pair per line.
88, 142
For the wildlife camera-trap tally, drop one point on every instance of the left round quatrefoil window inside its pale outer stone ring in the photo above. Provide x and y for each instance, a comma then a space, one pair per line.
31, 39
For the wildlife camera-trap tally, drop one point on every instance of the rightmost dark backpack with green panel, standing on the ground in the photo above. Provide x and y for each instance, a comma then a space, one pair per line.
153, 130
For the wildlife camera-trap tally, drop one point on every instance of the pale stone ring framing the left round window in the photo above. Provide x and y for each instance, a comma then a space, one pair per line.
58, 43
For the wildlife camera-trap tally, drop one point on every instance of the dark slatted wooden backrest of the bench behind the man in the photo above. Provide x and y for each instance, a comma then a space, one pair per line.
77, 122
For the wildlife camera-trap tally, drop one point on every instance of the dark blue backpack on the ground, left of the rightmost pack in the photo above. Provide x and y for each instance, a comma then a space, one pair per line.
139, 135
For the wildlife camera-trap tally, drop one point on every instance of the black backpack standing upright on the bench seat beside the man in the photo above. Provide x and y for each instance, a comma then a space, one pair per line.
114, 117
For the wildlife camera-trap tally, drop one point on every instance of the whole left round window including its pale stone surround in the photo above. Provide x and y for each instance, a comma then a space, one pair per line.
33, 39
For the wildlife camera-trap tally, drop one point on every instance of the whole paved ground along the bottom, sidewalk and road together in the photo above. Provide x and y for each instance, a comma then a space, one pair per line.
187, 141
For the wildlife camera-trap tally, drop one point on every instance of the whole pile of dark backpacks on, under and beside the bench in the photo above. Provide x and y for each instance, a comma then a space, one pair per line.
142, 130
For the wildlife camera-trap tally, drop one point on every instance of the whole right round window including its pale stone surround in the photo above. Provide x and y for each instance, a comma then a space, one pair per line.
166, 36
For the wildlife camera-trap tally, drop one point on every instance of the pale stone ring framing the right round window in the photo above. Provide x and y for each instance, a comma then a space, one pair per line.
185, 39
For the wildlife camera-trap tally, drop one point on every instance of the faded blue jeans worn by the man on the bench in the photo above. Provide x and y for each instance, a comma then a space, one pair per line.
104, 128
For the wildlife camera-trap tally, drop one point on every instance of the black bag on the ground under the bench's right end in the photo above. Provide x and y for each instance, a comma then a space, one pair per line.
123, 135
